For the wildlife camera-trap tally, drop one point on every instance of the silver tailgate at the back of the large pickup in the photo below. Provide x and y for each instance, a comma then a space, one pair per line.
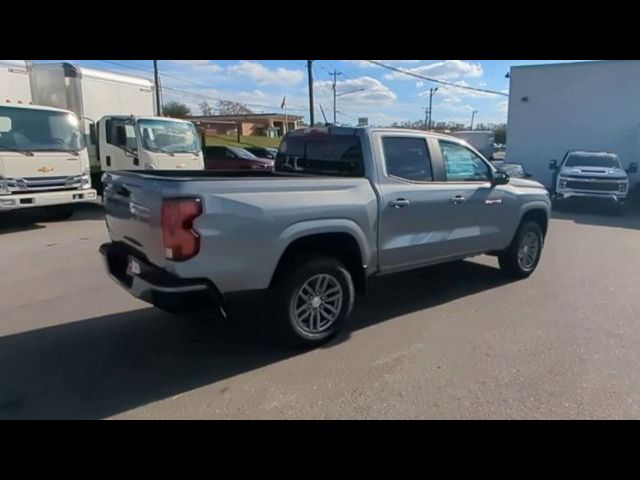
133, 208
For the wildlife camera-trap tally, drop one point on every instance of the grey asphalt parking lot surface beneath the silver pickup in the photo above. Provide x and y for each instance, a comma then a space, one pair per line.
455, 341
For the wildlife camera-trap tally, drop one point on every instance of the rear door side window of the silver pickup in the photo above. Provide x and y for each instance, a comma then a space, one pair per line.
407, 158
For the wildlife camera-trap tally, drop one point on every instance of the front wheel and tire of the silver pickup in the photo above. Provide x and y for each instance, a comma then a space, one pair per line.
529, 234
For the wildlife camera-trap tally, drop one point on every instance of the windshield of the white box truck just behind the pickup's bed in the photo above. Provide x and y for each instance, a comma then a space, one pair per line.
169, 136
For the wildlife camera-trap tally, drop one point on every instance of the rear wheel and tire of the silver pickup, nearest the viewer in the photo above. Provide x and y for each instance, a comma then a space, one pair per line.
326, 316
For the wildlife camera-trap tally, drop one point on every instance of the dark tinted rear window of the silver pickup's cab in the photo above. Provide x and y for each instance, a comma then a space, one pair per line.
321, 154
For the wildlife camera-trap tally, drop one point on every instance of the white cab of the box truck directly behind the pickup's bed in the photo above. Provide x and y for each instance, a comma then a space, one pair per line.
150, 143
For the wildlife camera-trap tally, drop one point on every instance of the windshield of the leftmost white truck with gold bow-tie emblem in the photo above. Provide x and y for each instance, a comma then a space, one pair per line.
39, 130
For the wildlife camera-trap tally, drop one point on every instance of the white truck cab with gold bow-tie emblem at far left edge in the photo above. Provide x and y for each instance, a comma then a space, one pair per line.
43, 159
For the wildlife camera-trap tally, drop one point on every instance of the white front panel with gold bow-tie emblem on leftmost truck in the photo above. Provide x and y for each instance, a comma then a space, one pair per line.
41, 164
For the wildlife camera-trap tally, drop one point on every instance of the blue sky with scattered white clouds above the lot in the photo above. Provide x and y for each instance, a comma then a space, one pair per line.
377, 93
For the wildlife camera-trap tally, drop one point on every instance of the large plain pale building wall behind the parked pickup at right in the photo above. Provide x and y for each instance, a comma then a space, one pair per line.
573, 106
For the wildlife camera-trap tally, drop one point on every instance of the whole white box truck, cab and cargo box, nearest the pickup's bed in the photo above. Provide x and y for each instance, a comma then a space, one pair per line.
117, 114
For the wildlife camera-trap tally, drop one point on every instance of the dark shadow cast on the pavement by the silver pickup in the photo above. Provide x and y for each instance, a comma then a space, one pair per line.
102, 366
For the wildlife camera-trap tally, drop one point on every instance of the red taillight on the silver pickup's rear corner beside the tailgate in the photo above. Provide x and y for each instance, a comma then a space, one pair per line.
180, 241
